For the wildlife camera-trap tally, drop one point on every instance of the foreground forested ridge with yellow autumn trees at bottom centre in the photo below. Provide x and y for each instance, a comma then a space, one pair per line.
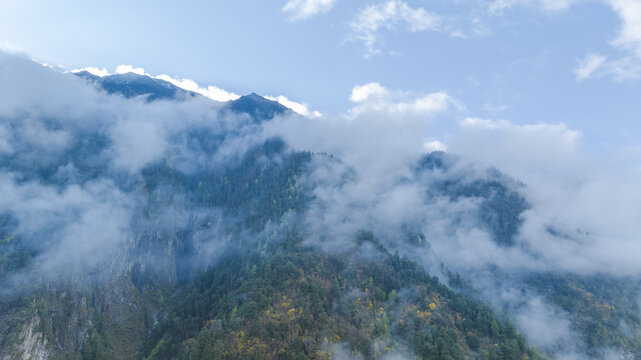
295, 303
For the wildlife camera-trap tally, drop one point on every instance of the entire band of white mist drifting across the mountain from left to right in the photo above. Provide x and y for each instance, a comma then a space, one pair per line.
73, 158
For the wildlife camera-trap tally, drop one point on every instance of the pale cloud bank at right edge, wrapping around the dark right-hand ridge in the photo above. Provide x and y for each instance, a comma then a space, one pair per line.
591, 205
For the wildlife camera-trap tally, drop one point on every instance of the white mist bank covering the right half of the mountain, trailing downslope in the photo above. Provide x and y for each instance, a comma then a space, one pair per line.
582, 215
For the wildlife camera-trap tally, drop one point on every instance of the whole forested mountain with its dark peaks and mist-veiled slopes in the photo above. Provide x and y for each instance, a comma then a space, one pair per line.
179, 230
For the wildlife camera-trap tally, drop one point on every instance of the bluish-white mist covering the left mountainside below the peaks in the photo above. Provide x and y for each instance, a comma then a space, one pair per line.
72, 158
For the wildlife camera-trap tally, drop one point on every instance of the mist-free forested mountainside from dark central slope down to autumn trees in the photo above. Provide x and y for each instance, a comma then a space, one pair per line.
267, 296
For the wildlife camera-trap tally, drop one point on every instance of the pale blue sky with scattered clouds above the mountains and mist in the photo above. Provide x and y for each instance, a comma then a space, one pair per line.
525, 61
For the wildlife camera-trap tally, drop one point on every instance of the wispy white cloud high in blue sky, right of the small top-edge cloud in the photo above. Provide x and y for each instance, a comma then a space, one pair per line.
389, 16
